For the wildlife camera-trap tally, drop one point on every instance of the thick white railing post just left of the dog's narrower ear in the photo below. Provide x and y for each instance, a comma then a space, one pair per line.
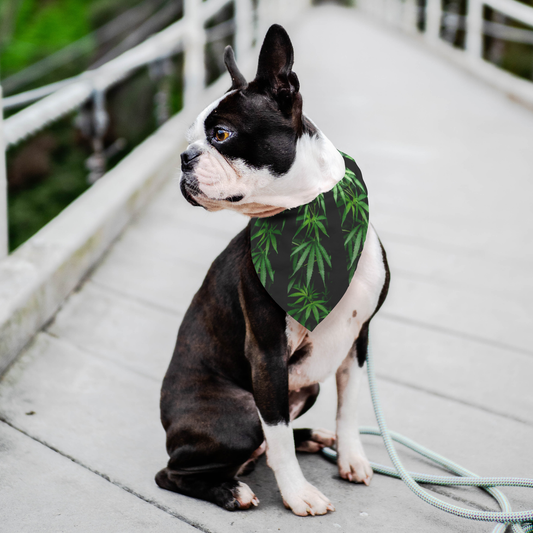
194, 67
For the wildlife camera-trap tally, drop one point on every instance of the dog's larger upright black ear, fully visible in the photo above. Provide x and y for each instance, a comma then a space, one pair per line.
274, 71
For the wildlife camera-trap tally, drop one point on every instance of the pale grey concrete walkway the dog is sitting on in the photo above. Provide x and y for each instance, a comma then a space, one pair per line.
448, 163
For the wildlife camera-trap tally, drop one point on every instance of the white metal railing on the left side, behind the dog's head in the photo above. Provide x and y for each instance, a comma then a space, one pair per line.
188, 35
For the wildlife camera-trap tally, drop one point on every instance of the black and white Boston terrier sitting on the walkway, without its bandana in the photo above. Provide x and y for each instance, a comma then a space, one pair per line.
242, 368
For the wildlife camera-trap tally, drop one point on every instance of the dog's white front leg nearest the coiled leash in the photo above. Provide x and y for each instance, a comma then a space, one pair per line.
351, 459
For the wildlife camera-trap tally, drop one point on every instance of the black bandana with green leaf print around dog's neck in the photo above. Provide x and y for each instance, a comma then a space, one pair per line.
306, 256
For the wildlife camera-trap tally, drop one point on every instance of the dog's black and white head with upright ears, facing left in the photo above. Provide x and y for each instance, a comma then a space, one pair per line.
253, 150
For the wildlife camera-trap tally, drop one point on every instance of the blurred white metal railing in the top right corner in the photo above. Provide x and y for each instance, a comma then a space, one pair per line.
407, 15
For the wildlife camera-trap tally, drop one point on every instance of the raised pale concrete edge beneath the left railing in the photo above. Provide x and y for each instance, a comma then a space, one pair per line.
37, 277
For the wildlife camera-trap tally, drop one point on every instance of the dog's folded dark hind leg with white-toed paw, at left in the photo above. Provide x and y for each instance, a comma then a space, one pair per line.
209, 437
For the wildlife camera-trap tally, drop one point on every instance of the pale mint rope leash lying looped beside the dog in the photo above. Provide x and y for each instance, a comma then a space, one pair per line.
521, 522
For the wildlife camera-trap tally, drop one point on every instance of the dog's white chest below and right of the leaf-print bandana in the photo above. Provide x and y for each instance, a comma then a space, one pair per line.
317, 354
